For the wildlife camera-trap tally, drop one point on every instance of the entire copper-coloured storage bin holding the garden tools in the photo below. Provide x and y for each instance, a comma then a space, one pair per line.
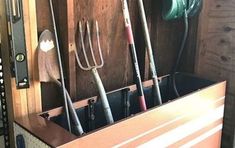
195, 119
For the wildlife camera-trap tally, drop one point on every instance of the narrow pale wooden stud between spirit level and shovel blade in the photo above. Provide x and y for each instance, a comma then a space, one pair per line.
34, 92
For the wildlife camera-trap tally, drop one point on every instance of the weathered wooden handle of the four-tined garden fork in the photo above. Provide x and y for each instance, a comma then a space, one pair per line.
103, 97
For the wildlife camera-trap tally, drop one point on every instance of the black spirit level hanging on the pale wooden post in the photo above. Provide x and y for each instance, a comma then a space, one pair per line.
17, 43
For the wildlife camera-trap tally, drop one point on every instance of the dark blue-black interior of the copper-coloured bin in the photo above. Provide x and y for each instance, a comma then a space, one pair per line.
94, 118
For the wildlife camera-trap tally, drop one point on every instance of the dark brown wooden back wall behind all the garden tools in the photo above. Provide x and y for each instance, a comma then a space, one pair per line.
117, 70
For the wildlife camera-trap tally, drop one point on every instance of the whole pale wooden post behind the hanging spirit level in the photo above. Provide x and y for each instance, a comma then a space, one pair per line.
25, 101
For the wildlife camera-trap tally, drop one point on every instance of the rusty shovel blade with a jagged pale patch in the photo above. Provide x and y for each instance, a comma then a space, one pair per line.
47, 58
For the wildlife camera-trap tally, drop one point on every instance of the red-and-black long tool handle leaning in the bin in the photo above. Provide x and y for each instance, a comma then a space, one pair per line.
130, 39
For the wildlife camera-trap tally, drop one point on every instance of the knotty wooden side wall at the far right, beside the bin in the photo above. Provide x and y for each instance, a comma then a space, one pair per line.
216, 54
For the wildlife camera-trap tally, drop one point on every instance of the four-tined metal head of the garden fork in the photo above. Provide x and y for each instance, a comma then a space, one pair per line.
88, 65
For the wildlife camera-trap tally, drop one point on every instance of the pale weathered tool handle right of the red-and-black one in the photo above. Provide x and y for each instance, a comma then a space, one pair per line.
156, 90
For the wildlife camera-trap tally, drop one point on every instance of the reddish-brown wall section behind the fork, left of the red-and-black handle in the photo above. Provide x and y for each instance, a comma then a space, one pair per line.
115, 51
